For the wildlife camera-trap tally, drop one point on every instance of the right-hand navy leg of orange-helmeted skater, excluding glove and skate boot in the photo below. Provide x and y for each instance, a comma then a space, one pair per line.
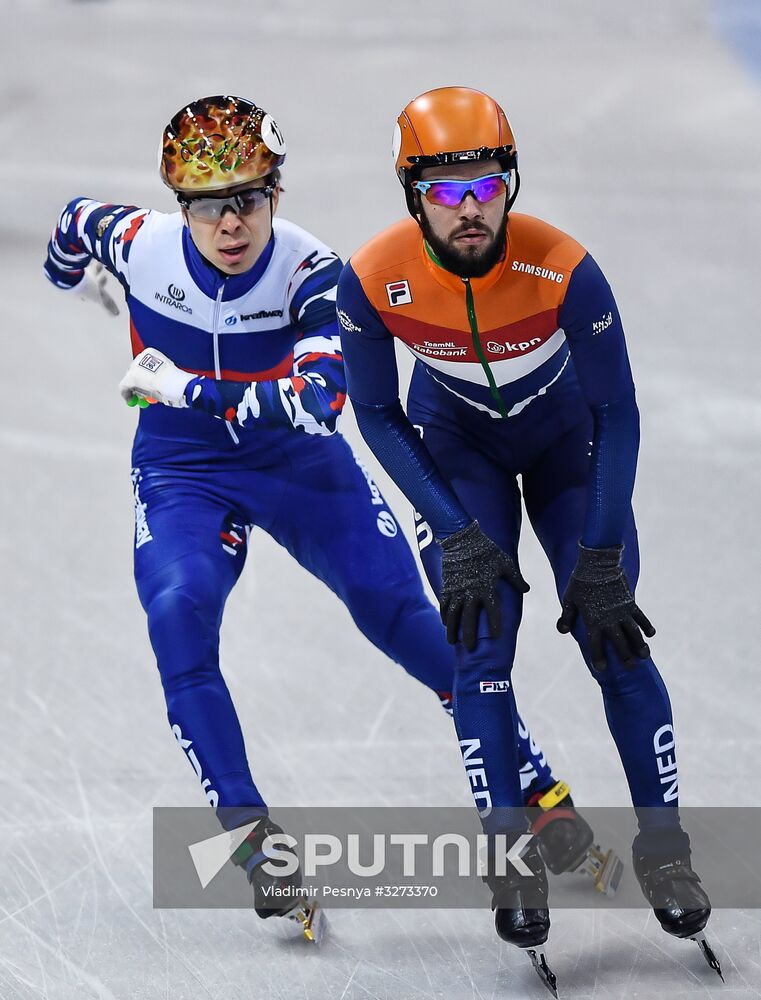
637, 706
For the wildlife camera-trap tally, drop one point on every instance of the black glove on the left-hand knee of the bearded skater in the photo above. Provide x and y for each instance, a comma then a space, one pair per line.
471, 565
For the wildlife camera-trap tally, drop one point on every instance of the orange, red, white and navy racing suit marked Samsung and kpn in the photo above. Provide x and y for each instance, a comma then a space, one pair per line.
520, 374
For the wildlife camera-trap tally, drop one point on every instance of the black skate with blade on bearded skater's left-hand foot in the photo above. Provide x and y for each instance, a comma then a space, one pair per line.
521, 915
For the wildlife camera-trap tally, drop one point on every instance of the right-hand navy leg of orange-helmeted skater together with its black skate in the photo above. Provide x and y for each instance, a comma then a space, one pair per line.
637, 706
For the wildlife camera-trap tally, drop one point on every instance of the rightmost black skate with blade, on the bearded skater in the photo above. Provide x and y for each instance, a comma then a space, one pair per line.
662, 864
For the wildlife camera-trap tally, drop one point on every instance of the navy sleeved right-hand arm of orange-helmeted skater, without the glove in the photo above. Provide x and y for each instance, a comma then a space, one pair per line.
589, 316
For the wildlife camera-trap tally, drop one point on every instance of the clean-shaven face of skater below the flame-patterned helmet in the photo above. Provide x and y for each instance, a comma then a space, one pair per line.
234, 241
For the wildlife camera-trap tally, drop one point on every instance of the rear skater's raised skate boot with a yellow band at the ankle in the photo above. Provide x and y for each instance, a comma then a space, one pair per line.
566, 840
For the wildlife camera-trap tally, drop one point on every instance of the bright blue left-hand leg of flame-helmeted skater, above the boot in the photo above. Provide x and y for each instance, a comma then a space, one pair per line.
188, 556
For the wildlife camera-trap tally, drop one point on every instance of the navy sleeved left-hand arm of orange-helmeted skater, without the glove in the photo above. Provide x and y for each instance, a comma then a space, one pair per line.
373, 386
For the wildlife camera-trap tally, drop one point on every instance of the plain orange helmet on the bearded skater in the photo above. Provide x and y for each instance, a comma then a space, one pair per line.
451, 125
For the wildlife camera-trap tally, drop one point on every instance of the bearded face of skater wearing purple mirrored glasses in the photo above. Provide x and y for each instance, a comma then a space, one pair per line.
468, 238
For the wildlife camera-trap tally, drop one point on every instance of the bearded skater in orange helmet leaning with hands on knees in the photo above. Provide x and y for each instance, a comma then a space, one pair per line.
521, 397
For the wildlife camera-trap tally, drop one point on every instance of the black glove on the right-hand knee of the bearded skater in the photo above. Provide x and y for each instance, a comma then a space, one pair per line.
599, 590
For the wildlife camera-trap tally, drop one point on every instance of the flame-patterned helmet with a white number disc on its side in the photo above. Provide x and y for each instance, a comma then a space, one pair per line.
219, 142
